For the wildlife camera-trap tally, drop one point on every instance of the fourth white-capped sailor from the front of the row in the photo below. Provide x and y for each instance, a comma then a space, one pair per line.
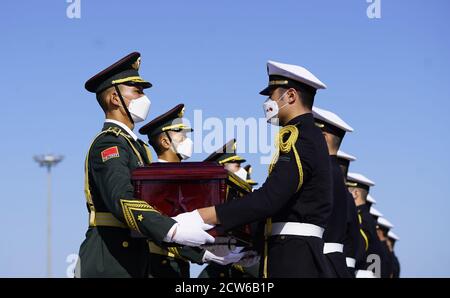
359, 187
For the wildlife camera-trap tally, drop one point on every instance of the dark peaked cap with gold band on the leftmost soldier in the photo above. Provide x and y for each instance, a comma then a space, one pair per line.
124, 71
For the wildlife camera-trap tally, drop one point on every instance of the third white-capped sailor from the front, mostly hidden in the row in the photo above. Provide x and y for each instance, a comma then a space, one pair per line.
353, 242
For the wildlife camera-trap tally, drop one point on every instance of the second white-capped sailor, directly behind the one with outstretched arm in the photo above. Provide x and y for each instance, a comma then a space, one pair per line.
334, 129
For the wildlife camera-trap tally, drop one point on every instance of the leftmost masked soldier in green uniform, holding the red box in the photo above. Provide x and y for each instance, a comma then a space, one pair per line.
119, 225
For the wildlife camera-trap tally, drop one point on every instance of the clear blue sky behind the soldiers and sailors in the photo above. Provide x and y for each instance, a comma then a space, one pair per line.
389, 78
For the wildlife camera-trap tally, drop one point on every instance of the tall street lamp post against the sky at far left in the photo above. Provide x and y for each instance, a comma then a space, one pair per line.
48, 161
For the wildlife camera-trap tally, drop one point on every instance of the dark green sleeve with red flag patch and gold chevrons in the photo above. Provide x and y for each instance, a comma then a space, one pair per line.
110, 169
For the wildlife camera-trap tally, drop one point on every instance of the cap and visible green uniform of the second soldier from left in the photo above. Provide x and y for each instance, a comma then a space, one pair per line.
170, 261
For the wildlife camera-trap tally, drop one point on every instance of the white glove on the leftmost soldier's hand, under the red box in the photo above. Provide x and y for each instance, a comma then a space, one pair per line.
190, 235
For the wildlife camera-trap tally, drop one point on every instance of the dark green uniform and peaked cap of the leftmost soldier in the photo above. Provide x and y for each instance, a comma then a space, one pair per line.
119, 225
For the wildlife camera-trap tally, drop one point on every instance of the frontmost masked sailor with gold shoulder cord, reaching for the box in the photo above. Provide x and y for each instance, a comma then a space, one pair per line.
295, 199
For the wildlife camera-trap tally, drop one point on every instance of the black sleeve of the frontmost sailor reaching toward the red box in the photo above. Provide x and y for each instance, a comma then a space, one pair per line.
266, 201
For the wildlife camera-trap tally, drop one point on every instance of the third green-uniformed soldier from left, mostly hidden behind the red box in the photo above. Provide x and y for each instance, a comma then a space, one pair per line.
227, 157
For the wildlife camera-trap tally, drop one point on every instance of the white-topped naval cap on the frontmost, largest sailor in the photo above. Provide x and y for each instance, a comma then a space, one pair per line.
281, 73
